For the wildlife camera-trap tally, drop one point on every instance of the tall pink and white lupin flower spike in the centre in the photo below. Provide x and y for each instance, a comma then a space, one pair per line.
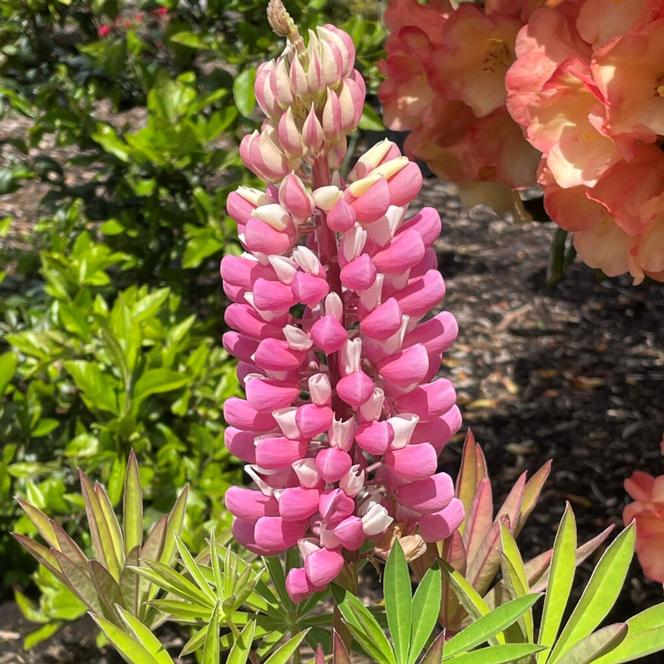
343, 417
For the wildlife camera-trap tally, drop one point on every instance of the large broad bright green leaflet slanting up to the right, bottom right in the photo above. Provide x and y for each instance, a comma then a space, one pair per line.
600, 594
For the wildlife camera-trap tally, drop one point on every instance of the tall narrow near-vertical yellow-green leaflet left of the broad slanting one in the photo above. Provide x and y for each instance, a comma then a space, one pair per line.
560, 582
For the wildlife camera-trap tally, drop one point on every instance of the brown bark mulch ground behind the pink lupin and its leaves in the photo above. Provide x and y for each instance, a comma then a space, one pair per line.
574, 373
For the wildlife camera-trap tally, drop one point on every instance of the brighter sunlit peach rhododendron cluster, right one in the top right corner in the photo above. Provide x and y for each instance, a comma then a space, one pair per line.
588, 88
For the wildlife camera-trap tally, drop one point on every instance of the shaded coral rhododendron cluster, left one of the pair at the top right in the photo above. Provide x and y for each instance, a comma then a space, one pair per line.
445, 72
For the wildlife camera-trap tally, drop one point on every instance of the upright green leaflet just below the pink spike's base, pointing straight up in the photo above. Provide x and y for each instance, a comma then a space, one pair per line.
398, 598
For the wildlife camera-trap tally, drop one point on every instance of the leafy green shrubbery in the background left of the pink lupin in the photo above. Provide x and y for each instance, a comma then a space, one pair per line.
127, 115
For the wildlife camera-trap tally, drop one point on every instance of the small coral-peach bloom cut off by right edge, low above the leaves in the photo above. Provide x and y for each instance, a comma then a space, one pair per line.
648, 512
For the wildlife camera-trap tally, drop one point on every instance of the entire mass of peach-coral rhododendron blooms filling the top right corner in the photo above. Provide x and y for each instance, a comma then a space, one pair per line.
488, 92
